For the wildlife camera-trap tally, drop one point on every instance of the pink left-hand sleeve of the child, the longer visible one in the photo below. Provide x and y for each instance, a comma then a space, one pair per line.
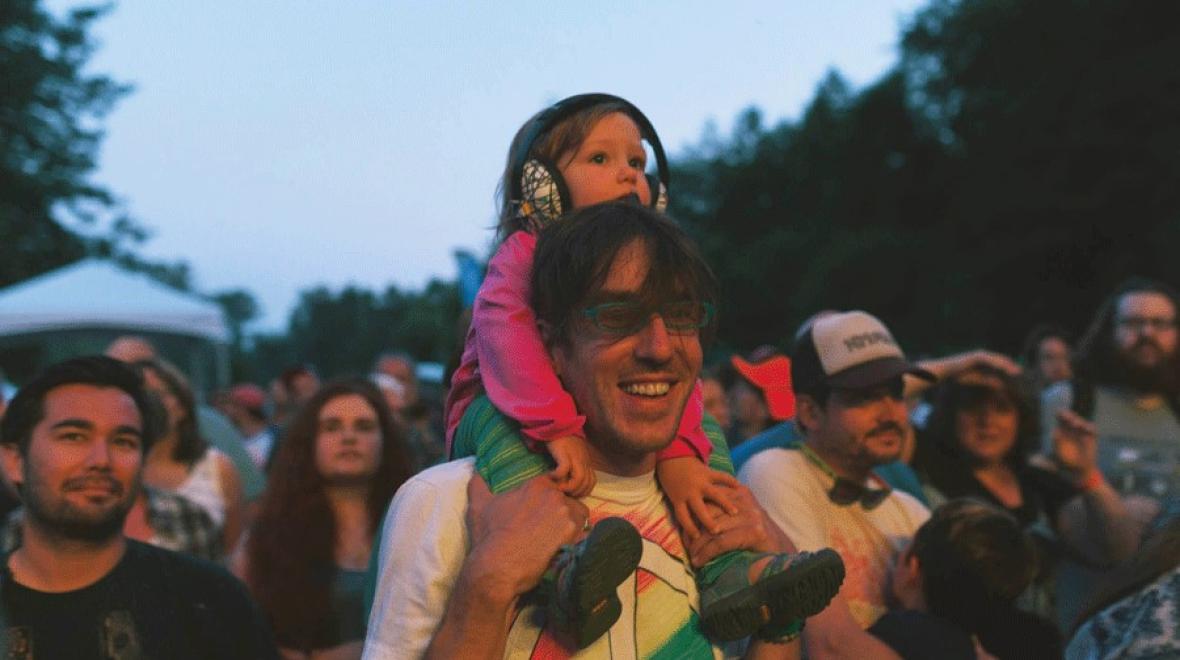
514, 364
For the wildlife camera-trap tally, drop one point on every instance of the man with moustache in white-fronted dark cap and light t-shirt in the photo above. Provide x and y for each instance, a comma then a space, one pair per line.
849, 380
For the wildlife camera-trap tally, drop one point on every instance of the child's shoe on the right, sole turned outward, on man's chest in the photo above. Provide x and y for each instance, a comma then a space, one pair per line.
790, 587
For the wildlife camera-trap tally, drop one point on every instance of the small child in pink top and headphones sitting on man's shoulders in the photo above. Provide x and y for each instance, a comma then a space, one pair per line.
586, 151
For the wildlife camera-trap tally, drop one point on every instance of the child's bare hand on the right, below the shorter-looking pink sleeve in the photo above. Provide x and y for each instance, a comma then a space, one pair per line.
691, 486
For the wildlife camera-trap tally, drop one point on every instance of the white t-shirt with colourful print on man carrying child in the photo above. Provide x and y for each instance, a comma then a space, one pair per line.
425, 544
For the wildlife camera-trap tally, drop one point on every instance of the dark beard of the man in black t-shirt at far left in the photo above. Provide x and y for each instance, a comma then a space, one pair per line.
65, 521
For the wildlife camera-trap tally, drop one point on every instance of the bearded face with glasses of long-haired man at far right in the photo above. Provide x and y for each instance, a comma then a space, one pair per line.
1145, 330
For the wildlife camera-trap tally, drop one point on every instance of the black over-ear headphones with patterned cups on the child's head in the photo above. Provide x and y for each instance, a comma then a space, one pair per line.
539, 189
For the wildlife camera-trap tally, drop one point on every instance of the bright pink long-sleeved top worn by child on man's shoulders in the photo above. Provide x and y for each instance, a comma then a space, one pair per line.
504, 357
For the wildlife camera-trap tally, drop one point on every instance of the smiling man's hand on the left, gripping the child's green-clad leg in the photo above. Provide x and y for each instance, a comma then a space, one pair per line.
515, 535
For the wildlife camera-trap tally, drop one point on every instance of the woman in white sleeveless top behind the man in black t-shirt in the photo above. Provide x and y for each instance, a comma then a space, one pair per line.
182, 462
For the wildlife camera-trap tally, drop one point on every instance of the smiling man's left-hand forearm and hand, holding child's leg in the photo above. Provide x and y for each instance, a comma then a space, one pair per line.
515, 537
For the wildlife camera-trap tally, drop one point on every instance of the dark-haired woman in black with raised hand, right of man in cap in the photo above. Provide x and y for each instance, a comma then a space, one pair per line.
981, 434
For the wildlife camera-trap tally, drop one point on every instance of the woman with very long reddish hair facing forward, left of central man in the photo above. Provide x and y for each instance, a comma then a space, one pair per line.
305, 559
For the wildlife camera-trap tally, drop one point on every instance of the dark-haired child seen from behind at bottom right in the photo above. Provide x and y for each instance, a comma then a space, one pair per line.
958, 583
